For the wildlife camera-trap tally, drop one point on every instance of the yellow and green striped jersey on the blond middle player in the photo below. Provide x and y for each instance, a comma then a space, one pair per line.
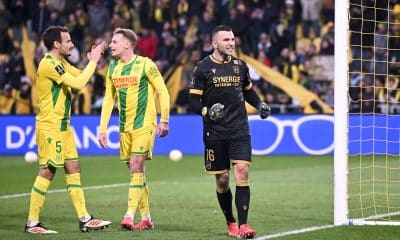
134, 84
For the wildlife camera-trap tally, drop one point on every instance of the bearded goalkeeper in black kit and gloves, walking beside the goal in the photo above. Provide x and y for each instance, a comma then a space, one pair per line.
219, 87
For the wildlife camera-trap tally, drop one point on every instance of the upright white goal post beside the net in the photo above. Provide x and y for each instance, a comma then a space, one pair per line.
340, 205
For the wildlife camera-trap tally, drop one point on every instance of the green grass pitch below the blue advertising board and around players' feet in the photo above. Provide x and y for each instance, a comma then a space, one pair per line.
288, 193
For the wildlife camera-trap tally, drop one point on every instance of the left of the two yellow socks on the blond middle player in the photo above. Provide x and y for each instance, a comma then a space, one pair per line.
135, 192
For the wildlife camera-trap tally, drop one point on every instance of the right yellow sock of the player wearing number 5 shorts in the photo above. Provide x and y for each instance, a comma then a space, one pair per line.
75, 191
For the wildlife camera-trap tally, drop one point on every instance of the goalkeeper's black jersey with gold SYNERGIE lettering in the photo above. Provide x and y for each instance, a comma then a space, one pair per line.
223, 82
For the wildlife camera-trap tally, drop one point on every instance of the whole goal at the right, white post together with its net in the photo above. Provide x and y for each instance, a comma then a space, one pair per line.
376, 192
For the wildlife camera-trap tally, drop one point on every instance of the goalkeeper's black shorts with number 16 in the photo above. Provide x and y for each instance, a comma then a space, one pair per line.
219, 154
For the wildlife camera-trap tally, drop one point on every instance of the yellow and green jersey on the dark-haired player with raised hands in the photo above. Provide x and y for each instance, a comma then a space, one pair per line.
54, 96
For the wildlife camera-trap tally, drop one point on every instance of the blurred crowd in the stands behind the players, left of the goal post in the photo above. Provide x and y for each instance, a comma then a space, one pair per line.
288, 36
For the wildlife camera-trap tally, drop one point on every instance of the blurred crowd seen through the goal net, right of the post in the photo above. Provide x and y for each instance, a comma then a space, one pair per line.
374, 69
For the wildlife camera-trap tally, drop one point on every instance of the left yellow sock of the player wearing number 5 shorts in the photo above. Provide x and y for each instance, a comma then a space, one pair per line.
38, 196
